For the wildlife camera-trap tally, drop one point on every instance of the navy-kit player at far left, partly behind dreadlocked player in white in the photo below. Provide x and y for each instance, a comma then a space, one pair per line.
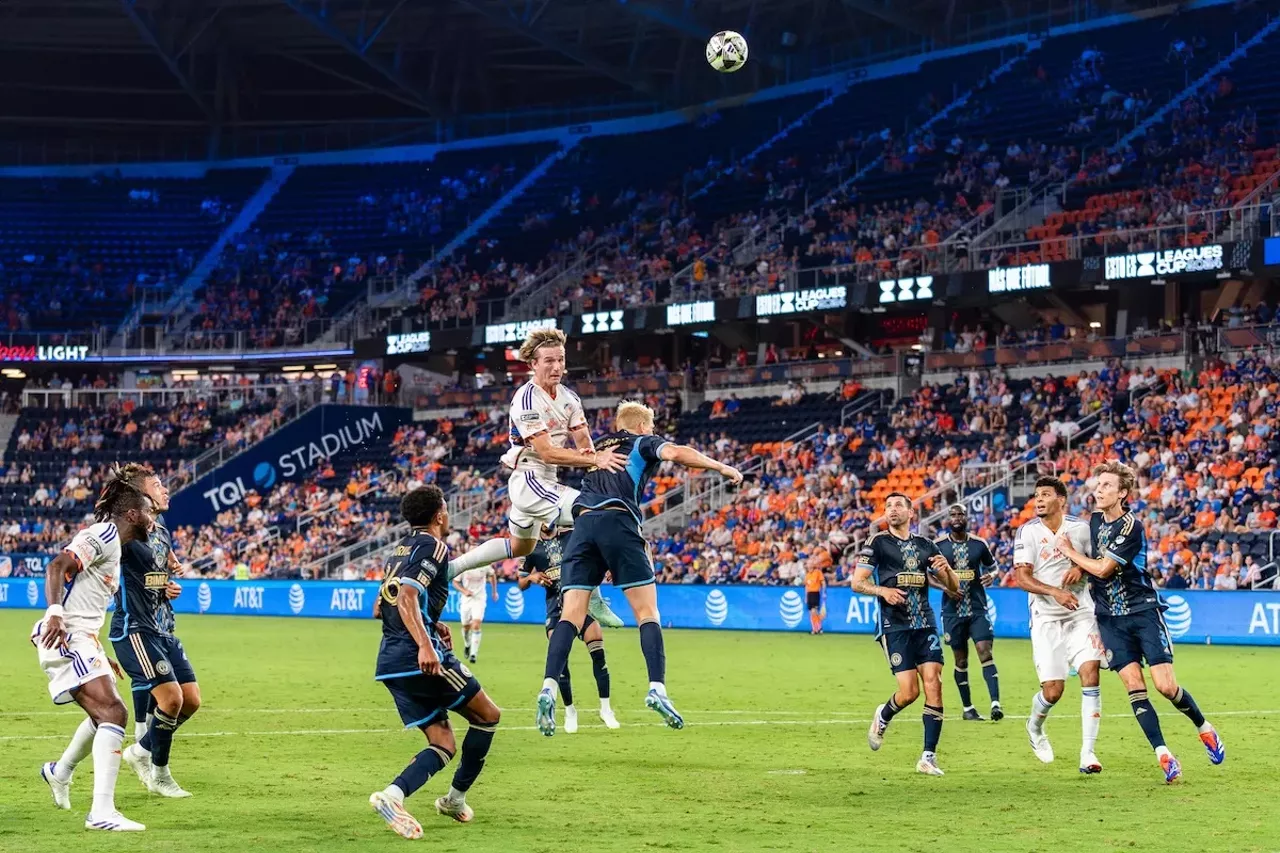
166, 692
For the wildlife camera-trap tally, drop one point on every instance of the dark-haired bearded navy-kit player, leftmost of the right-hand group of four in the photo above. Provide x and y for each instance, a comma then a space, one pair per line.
897, 568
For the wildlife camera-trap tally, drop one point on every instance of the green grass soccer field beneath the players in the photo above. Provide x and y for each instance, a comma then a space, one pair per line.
295, 735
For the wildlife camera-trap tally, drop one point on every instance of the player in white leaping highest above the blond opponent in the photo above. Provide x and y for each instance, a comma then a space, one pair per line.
545, 418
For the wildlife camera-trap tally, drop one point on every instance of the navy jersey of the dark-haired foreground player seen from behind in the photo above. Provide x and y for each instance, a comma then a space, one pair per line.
420, 562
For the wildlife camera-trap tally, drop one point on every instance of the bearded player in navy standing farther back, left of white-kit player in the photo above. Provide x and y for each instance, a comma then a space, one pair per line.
964, 617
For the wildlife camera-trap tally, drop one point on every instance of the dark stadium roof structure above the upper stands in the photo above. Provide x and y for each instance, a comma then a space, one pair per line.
217, 72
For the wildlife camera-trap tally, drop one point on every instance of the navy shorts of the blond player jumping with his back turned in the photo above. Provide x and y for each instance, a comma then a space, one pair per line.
606, 541
